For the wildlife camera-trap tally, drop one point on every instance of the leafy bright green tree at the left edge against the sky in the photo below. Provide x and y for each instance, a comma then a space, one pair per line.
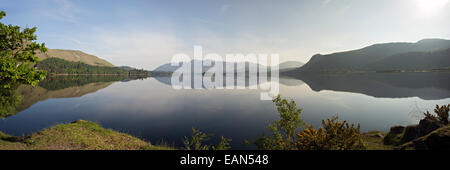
17, 55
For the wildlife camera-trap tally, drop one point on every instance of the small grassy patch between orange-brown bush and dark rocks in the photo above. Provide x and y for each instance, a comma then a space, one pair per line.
374, 141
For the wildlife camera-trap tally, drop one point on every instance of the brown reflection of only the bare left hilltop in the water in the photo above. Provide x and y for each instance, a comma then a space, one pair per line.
32, 95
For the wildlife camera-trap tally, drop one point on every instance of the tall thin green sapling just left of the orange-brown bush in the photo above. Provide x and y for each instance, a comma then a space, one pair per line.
283, 130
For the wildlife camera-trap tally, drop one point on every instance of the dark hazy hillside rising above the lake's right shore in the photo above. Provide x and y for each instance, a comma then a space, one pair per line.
424, 54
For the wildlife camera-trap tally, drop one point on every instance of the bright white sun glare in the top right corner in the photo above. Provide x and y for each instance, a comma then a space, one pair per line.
430, 8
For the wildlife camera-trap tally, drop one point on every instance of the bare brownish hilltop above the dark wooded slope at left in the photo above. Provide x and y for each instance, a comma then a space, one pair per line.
75, 56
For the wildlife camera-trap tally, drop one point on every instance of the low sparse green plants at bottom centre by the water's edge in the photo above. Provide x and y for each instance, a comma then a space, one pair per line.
195, 142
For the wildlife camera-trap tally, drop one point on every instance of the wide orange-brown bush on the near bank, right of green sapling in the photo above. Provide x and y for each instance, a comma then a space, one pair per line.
334, 135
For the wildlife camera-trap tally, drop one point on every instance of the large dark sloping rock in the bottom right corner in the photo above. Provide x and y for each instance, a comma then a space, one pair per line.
437, 140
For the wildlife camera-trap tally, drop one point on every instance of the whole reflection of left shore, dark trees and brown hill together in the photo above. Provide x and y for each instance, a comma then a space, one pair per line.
56, 87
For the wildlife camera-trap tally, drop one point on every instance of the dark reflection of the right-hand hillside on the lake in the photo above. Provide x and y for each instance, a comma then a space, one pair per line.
428, 86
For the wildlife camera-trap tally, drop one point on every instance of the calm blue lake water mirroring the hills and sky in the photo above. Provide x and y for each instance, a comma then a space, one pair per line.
150, 109
